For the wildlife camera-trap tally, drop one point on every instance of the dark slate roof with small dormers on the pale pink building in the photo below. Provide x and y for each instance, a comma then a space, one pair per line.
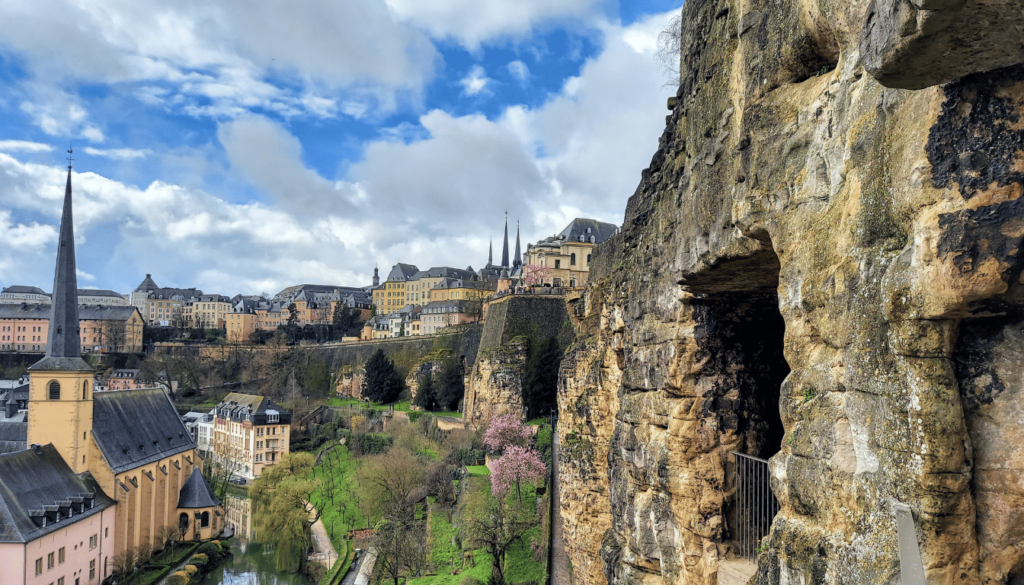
38, 483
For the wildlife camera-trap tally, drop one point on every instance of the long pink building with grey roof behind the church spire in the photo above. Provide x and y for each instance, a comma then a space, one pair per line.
103, 328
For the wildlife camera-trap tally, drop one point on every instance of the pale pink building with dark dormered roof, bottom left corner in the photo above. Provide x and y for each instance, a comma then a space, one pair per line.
57, 527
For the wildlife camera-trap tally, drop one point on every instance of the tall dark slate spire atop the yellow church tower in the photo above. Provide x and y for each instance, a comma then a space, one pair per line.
64, 335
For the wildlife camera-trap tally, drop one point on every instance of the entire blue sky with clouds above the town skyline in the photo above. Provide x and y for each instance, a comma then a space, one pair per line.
242, 148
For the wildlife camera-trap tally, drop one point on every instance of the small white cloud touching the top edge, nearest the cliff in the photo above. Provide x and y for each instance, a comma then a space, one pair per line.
476, 22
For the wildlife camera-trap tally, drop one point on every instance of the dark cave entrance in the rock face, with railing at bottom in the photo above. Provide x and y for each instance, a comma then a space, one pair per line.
743, 333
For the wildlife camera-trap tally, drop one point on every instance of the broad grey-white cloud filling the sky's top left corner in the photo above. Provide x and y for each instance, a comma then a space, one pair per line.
222, 59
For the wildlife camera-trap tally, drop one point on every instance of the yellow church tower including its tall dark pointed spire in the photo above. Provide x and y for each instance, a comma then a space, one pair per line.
61, 384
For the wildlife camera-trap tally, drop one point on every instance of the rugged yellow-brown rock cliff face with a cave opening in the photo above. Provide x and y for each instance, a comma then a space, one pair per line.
822, 271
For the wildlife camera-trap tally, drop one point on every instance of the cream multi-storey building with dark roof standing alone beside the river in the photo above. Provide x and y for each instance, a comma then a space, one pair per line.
250, 433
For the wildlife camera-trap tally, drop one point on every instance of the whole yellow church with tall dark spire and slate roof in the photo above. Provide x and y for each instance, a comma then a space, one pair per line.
133, 443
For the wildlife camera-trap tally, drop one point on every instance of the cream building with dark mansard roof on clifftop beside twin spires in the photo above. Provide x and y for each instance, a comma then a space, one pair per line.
564, 260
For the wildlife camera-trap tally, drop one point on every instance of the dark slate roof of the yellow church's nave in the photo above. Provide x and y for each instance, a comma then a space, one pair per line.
136, 428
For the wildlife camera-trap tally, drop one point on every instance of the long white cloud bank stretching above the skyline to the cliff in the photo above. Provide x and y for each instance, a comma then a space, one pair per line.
429, 194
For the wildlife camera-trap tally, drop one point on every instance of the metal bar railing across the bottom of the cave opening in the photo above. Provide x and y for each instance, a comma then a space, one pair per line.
756, 505
